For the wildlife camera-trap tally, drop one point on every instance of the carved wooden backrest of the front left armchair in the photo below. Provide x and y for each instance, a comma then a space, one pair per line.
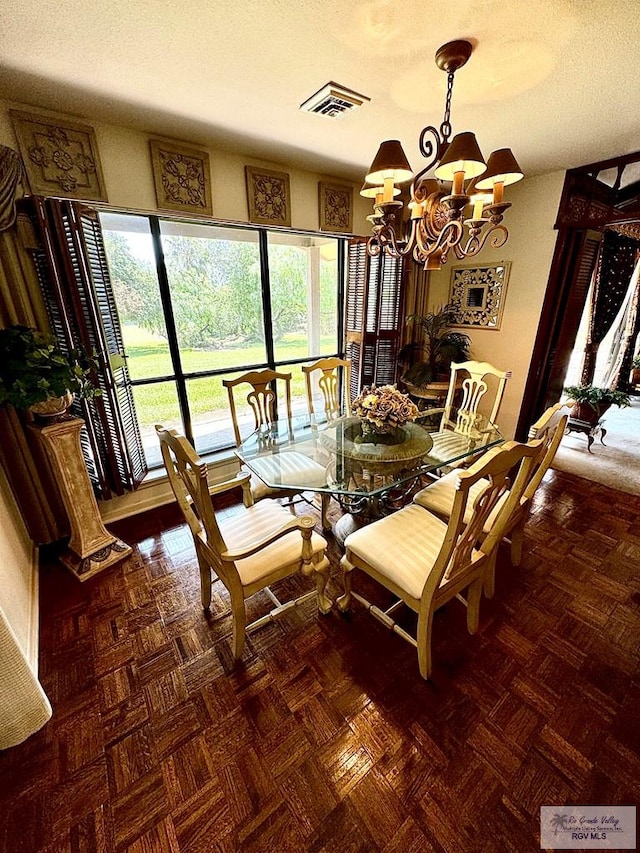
187, 474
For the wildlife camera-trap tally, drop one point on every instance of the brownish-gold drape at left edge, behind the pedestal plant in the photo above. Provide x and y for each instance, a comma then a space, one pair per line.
23, 459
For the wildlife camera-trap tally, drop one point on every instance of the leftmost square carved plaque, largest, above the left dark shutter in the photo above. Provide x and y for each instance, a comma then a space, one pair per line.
60, 157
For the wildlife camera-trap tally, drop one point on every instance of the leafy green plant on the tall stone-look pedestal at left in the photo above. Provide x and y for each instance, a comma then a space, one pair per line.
33, 368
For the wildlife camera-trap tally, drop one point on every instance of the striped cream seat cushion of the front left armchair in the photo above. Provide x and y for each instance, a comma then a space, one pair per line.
257, 522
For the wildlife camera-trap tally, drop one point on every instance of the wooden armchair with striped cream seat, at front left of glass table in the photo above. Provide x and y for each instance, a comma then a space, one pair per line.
249, 551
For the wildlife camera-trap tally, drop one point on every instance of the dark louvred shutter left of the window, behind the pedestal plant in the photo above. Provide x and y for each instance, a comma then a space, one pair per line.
74, 276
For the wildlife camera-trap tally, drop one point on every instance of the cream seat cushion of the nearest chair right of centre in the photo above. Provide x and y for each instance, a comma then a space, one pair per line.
401, 547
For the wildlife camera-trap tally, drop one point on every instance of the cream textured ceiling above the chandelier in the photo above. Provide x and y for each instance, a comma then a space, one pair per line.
556, 80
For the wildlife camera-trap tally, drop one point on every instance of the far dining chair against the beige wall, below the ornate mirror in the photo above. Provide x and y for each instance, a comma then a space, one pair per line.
470, 410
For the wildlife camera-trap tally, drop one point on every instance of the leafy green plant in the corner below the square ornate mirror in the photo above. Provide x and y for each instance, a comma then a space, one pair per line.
440, 346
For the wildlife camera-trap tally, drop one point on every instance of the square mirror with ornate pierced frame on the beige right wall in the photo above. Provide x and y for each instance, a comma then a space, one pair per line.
478, 293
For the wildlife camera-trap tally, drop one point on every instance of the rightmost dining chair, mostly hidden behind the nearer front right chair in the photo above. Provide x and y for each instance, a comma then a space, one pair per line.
438, 497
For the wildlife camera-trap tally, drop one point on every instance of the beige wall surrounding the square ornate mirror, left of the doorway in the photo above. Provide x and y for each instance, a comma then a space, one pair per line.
530, 250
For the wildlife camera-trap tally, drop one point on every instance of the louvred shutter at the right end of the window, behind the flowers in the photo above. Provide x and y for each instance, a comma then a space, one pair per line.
374, 311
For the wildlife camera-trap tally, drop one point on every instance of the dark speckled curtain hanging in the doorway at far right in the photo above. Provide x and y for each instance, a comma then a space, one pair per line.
614, 271
